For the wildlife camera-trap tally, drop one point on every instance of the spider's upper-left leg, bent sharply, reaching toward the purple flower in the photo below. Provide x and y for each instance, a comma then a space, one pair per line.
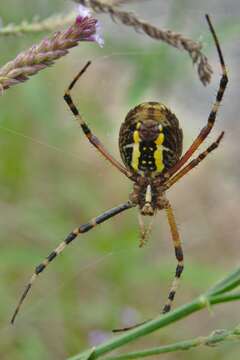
93, 139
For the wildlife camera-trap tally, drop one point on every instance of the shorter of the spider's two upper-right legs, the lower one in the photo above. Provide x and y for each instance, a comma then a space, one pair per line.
194, 162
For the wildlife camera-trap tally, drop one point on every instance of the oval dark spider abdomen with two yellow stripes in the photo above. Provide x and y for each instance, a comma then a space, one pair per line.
150, 139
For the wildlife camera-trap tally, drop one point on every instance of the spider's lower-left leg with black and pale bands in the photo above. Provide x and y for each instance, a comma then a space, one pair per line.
80, 230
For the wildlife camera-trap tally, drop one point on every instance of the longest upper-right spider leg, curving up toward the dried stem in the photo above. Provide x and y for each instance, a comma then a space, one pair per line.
212, 116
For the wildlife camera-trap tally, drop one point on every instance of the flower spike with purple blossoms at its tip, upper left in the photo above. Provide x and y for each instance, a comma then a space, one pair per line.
42, 55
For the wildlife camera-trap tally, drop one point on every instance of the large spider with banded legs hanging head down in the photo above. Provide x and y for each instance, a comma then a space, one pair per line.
150, 143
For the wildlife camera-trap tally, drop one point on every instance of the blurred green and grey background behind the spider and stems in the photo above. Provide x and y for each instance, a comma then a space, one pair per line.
52, 180
